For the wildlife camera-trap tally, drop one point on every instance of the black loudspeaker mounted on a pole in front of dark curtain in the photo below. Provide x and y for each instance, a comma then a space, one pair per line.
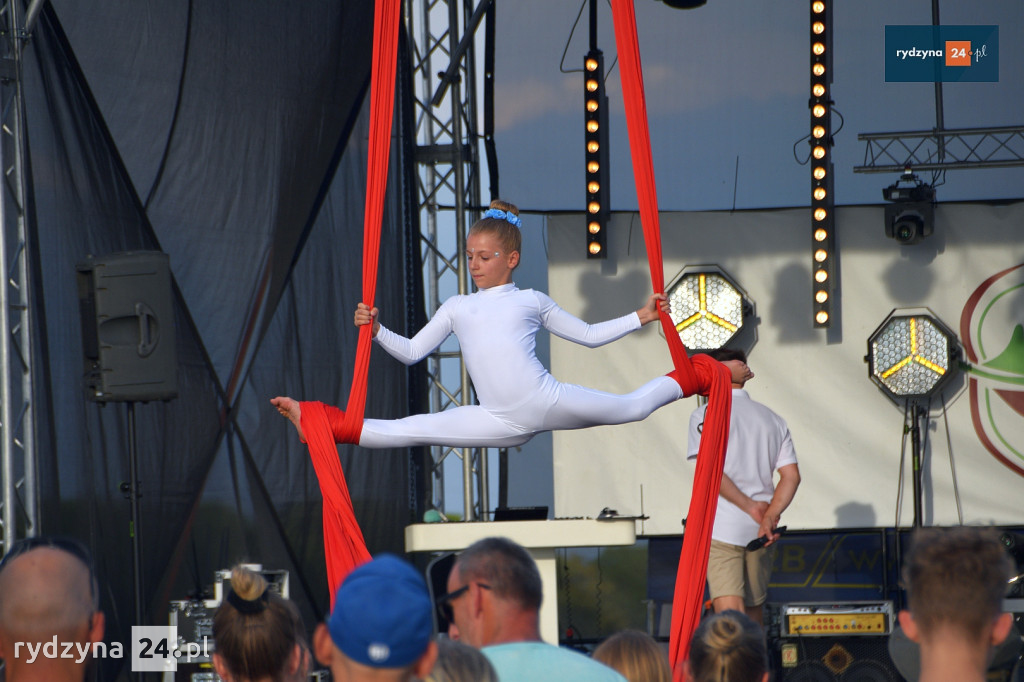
129, 327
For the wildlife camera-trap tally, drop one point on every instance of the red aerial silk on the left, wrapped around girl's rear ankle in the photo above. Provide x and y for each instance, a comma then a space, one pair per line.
324, 427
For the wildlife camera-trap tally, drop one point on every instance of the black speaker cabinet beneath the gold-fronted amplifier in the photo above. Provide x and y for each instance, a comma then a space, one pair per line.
846, 659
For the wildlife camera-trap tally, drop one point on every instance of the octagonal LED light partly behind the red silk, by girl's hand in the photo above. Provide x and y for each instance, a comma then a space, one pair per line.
708, 308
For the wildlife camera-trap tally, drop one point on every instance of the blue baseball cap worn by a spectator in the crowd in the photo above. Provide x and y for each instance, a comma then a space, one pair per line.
382, 615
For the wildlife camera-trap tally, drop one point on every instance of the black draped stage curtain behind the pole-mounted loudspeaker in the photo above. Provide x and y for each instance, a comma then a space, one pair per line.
233, 137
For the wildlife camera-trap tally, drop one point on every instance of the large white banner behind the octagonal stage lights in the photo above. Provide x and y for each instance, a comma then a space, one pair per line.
849, 437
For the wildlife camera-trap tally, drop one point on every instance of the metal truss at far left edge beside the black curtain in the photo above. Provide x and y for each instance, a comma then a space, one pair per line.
18, 458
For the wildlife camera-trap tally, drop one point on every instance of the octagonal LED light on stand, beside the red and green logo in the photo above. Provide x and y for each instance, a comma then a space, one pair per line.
913, 356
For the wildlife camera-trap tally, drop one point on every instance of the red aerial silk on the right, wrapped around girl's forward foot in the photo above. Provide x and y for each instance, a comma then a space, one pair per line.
697, 375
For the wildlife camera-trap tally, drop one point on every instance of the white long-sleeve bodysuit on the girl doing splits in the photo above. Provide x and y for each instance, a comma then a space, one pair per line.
497, 330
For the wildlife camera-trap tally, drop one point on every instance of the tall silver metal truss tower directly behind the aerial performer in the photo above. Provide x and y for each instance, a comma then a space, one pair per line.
449, 199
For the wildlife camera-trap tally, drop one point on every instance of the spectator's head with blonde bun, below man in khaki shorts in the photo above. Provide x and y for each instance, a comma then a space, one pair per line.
729, 648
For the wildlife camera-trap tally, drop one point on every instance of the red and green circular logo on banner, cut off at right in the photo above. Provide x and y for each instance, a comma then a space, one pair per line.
993, 333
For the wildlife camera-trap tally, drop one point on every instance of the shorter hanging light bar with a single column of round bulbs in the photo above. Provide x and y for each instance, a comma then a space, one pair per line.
596, 136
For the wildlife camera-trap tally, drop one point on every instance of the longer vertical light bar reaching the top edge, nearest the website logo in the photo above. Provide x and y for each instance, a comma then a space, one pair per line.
823, 200
